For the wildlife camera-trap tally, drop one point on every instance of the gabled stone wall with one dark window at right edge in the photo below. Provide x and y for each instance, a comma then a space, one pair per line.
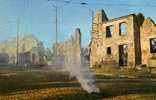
148, 42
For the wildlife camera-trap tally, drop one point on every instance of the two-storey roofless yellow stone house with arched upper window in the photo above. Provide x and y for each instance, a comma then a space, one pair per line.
114, 41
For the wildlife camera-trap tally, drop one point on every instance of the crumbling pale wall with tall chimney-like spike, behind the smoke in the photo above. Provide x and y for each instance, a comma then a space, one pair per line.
69, 50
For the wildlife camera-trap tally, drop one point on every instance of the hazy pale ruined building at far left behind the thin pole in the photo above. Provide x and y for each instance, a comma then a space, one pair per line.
30, 51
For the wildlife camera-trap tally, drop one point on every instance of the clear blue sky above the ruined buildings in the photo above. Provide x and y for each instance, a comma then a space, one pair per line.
37, 17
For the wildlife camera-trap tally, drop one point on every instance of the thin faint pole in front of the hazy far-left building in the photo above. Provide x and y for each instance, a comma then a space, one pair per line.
17, 43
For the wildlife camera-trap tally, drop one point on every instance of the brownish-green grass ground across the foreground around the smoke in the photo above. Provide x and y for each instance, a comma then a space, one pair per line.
52, 85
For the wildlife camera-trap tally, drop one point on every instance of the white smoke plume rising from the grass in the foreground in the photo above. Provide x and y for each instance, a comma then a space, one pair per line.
78, 69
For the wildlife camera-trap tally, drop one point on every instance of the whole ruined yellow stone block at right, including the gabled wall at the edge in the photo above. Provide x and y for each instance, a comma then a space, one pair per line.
125, 41
